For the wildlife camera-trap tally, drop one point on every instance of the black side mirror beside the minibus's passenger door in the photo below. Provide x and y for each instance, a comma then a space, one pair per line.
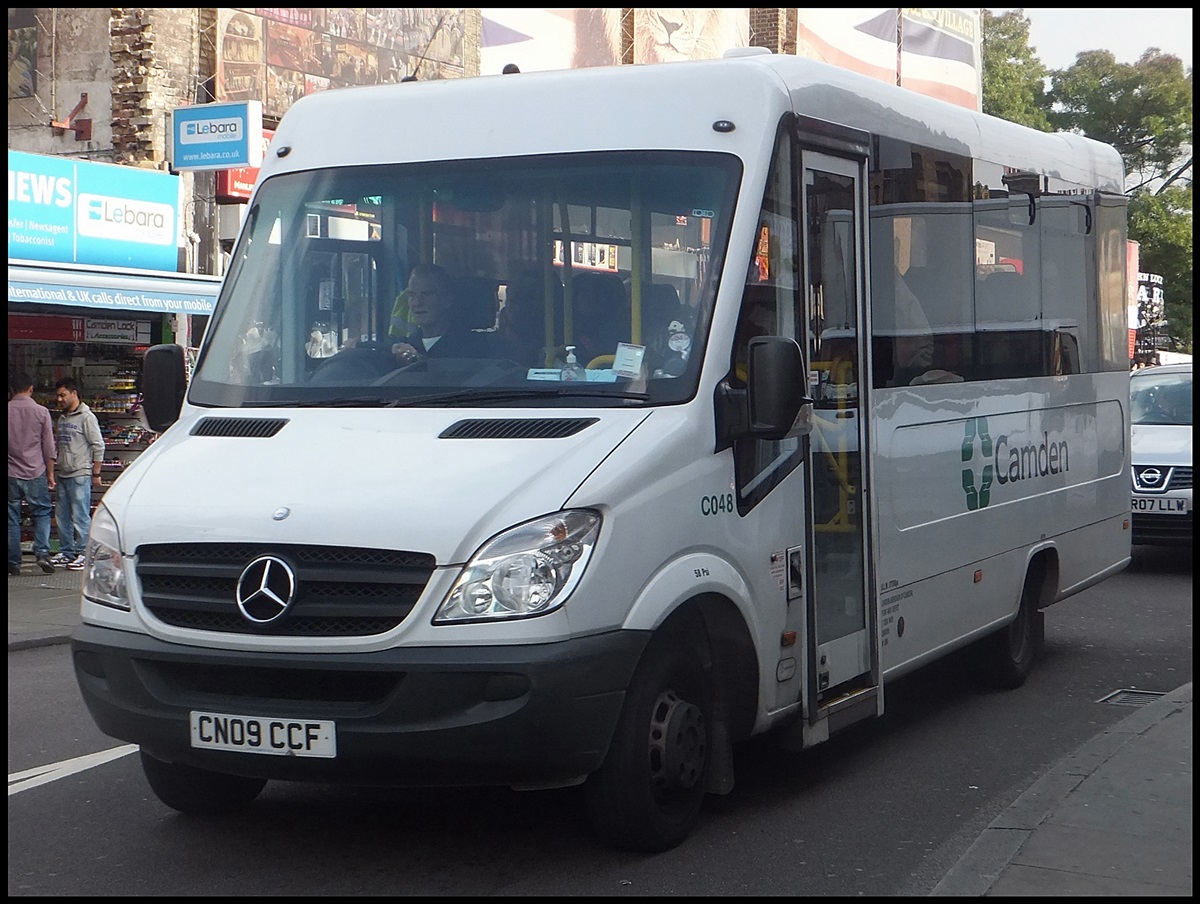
776, 388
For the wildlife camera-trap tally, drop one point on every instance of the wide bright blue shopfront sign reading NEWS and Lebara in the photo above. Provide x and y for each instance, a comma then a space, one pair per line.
65, 211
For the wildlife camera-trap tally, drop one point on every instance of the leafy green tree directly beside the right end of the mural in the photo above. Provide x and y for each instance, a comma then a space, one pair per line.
1013, 79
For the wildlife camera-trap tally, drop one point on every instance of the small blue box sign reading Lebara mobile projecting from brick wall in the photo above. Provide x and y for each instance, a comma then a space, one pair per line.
217, 136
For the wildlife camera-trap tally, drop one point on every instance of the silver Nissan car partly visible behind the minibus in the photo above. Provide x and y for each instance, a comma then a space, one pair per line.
1161, 417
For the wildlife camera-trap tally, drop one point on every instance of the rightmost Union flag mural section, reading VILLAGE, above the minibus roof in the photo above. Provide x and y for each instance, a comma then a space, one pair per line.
931, 51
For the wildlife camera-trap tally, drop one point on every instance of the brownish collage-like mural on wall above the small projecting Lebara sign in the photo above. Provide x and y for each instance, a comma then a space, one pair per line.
278, 56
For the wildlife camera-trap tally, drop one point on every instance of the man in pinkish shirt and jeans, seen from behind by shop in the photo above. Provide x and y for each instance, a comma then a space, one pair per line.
32, 457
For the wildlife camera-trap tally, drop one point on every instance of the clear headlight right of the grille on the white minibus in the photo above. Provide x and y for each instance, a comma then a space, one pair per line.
527, 571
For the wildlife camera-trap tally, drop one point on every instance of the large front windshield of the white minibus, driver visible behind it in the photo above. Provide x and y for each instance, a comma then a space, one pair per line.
568, 280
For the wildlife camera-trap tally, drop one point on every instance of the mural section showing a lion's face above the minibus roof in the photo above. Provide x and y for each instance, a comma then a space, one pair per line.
537, 40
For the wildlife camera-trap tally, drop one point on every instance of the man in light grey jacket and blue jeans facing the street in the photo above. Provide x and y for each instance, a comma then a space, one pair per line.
81, 456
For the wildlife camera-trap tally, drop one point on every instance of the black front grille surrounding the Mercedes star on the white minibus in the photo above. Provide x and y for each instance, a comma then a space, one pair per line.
339, 592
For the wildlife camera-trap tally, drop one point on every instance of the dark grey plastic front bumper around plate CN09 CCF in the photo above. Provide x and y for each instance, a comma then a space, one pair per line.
520, 716
